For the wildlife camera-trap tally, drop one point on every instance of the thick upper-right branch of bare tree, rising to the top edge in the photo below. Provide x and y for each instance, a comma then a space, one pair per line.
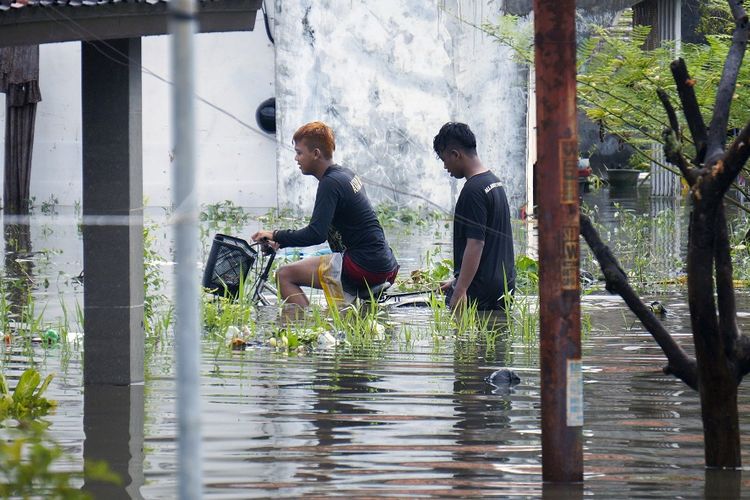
717, 130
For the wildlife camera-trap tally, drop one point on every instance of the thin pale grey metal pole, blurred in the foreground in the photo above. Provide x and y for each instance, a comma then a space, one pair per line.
187, 308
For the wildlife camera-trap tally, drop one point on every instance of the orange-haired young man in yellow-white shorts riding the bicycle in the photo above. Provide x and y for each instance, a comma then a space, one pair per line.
363, 259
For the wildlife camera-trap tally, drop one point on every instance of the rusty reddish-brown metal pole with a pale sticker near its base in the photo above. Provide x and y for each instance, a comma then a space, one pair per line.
556, 177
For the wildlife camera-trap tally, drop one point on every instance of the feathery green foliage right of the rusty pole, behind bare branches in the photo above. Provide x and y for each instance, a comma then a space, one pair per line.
618, 80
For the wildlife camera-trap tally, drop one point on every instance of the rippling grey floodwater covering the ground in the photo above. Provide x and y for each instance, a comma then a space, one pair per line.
405, 418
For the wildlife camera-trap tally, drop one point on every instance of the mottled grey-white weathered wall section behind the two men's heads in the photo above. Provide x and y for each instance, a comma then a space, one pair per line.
386, 75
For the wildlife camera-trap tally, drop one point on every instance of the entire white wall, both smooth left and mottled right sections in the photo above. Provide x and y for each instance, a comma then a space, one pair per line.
386, 75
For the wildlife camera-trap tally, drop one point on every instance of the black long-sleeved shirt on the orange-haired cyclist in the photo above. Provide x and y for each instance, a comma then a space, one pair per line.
341, 203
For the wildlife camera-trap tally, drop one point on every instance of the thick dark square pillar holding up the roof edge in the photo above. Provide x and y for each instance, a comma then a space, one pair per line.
113, 212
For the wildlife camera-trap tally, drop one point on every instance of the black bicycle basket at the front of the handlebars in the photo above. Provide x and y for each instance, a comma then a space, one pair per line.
228, 263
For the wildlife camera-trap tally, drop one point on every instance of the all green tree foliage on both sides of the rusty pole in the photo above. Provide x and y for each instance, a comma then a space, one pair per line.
617, 78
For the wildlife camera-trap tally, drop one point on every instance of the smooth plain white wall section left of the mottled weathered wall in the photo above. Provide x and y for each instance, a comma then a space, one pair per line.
235, 72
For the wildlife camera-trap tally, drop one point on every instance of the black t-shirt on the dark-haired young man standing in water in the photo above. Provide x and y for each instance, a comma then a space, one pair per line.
482, 213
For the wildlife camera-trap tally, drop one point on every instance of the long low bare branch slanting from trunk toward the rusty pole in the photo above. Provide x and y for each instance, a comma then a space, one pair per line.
680, 364
